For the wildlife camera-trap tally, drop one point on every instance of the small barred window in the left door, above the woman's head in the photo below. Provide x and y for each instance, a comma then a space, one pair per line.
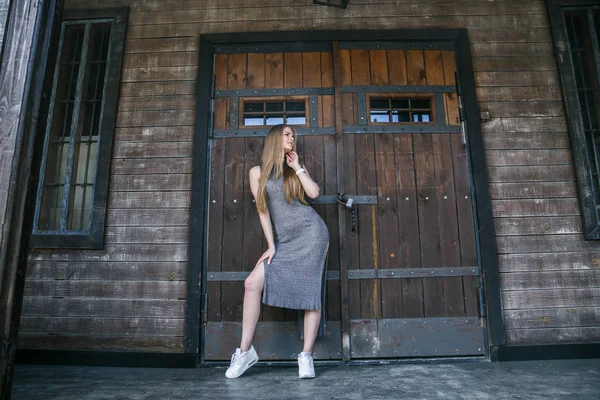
269, 112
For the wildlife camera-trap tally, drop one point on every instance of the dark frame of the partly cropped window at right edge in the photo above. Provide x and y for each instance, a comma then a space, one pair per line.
579, 148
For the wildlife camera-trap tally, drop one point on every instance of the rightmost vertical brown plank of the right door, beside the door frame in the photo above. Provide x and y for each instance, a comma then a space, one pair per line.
466, 224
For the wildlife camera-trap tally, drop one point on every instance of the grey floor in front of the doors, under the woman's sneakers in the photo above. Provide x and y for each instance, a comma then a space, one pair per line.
564, 379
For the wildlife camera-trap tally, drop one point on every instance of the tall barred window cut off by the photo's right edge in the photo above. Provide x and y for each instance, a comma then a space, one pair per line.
576, 31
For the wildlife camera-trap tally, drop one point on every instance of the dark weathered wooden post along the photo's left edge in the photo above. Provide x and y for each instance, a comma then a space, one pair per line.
31, 28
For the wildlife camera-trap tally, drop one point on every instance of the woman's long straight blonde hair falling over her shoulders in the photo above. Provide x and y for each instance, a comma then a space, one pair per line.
273, 159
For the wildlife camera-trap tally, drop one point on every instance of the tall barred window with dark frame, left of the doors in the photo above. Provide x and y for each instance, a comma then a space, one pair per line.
71, 196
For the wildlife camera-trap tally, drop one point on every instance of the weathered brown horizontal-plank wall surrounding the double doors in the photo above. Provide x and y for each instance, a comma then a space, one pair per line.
130, 296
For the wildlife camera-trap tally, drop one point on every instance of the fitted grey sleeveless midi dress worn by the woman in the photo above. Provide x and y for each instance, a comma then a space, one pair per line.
294, 277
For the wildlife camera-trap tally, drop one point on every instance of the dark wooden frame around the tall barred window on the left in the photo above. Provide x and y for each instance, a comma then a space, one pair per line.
93, 237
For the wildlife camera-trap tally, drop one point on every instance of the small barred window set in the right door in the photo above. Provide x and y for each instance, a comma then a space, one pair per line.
404, 109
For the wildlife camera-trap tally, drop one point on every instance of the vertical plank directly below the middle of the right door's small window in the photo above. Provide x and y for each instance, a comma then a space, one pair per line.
408, 225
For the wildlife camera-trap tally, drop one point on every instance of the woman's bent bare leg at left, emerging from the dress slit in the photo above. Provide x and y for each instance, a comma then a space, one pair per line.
253, 286
